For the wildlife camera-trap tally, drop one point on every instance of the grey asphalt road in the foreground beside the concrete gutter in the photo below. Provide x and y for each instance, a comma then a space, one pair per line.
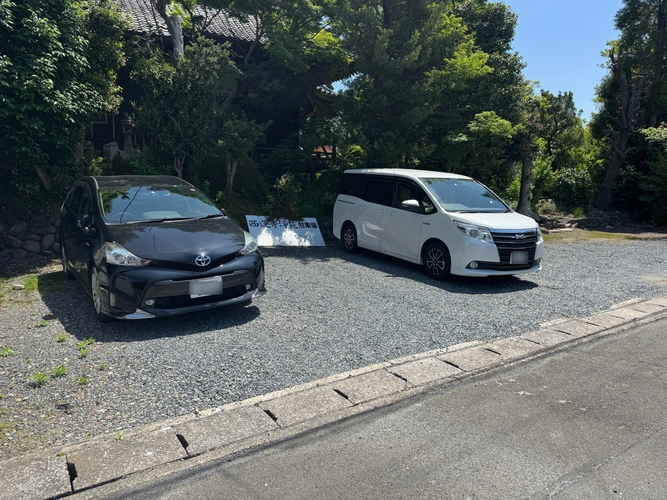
584, 423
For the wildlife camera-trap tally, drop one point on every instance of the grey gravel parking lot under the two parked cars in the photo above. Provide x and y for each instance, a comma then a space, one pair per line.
325, 312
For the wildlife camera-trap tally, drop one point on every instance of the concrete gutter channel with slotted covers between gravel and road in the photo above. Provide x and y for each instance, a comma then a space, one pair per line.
177, 444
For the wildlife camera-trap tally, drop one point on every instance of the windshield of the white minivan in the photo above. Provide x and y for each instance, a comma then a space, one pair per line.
464, 196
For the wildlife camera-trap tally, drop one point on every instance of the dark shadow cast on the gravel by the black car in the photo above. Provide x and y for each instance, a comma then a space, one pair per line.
74, 309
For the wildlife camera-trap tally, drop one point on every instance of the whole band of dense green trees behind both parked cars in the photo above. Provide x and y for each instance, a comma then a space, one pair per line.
430, 84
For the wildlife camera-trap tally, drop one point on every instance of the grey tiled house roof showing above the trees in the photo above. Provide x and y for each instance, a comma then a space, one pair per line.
146, 20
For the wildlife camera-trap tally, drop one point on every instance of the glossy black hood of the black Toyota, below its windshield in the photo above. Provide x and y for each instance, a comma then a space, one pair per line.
180, 240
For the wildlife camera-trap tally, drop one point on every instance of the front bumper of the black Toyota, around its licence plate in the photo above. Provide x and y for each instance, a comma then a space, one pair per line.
151, 291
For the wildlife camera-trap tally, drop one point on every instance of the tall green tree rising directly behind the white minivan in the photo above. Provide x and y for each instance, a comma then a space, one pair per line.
407, 55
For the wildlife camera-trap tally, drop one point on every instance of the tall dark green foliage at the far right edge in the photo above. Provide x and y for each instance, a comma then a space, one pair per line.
640, 184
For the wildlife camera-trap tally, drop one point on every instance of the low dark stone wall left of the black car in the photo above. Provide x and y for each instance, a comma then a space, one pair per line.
38, 236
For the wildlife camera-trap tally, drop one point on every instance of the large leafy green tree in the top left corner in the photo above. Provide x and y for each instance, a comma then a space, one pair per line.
58, 64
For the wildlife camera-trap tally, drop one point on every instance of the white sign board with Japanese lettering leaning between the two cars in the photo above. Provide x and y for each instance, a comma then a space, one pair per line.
284, 232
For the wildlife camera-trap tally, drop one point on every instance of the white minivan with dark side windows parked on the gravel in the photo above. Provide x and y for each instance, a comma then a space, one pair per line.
448, 223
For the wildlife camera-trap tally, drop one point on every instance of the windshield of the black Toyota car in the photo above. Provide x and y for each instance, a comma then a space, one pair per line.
155, 204
